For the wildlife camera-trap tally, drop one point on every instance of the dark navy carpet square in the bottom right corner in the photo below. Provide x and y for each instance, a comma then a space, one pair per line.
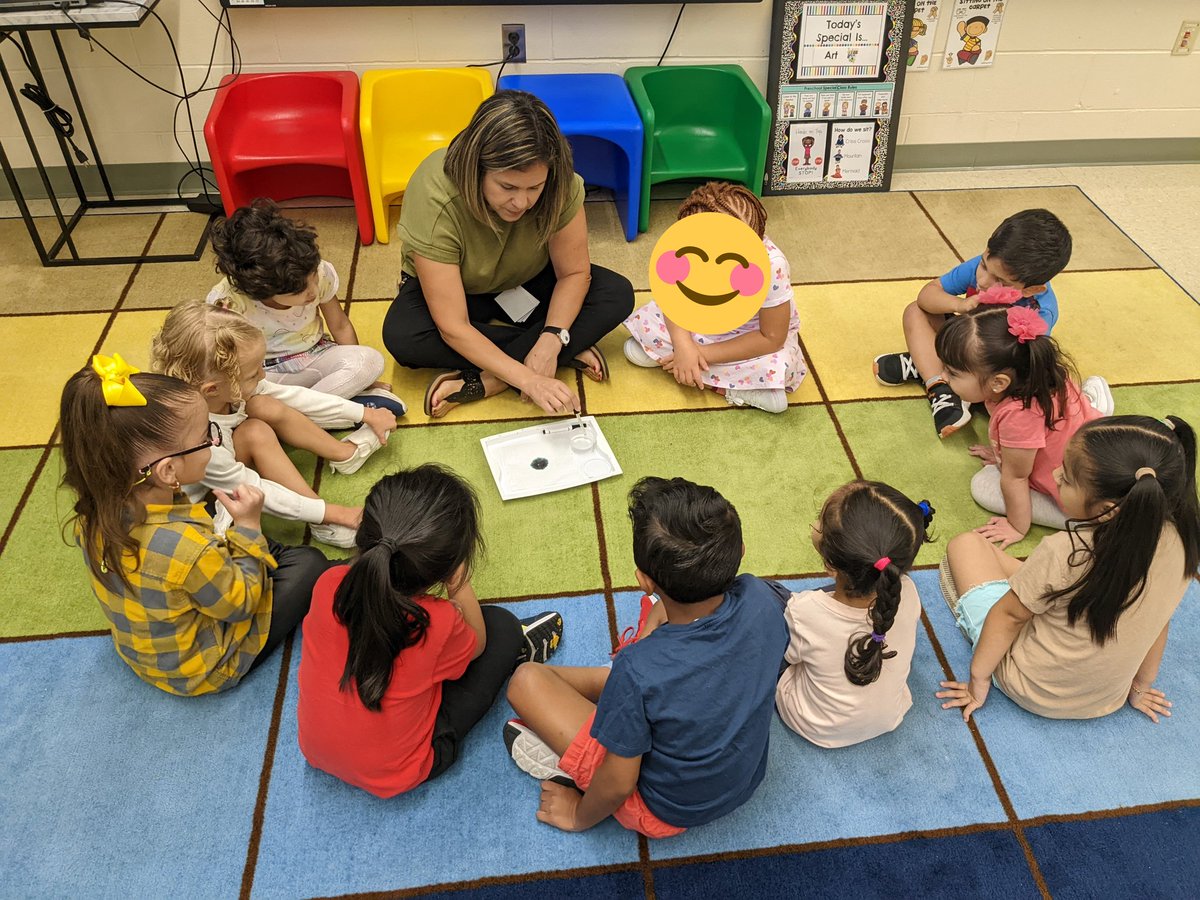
1155, 855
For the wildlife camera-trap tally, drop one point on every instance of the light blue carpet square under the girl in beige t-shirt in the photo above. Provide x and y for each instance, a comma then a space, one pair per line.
1053, 766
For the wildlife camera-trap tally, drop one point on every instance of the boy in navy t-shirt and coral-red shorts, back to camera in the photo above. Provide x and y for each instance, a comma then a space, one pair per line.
676, 734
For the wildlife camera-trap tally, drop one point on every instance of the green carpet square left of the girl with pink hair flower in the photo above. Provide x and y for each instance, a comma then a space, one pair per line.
896, 442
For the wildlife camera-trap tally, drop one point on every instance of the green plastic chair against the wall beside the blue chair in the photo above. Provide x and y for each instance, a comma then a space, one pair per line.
701, 123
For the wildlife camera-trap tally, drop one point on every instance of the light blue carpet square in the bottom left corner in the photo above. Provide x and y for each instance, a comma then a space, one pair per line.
115, 789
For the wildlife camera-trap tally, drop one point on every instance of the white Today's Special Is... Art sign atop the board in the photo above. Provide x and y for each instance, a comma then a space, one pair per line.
839, 41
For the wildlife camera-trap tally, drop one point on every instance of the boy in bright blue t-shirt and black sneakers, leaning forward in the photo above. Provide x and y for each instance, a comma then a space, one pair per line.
1028, 250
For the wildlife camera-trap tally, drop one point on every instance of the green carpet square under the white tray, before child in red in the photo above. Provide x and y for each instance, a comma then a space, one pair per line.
536, 547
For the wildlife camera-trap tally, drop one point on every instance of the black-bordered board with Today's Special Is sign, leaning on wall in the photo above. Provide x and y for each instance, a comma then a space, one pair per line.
835, 85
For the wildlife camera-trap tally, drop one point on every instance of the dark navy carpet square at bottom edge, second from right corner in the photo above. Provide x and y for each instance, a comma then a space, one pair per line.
987, 865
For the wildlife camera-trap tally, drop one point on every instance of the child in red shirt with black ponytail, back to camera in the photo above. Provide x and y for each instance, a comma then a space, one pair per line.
392, 677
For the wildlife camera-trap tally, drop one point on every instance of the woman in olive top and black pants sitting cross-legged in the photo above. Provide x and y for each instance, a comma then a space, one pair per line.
502, 208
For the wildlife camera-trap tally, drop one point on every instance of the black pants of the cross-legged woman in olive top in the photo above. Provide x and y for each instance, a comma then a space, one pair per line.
412, 338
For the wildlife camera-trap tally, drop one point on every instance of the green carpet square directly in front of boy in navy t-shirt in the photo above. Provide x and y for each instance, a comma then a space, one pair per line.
797, 463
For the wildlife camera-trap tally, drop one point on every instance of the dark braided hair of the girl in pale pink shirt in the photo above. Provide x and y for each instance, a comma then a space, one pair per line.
871, 536
